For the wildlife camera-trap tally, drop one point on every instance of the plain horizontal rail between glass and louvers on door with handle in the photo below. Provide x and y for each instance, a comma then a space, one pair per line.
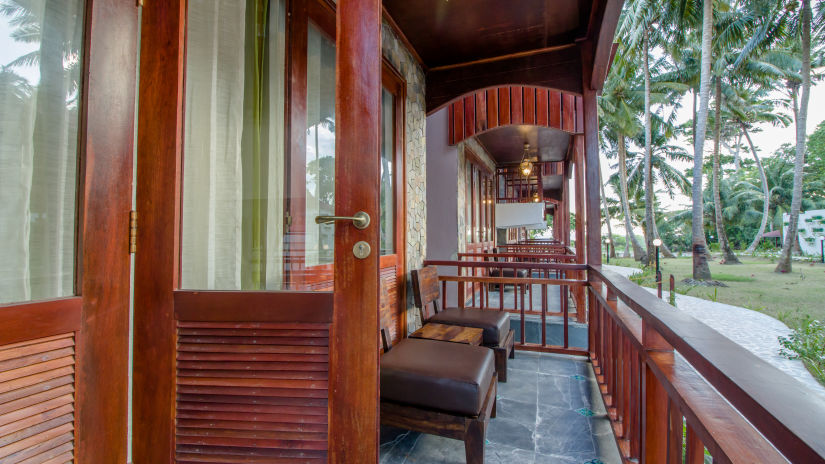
226, 306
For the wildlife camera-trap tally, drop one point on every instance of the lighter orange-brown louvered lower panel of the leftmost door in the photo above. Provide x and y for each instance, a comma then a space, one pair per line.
37, 400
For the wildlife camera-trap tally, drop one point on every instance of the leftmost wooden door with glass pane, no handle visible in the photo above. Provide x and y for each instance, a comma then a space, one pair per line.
65, 182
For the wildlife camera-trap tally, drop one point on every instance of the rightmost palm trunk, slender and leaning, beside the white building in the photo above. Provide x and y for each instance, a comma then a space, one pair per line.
784, 264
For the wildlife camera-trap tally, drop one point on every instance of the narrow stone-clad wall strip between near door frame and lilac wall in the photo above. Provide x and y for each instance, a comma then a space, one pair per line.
415, 158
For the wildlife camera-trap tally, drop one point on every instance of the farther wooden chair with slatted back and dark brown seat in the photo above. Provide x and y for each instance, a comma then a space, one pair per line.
496, 324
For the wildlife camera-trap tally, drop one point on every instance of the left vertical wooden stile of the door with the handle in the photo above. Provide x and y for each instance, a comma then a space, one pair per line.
160, 126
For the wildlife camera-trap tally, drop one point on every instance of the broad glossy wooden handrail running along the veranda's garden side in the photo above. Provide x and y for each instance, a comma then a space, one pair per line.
790, 416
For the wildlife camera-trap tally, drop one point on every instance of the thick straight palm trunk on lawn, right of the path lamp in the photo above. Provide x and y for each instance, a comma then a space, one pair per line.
701, 270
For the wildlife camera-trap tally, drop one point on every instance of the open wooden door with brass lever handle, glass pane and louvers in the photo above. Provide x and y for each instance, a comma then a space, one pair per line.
255, 327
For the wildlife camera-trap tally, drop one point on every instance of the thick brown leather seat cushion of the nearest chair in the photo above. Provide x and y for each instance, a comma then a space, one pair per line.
450, 377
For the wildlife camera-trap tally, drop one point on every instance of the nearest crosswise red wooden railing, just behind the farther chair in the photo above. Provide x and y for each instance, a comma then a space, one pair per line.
539, 279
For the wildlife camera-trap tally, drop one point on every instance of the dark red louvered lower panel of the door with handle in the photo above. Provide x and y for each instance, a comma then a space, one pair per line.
251, 392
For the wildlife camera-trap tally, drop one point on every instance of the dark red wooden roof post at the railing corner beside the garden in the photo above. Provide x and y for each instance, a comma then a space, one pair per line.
591, 180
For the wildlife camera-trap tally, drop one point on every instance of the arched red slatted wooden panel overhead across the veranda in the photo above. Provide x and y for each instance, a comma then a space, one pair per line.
513, 104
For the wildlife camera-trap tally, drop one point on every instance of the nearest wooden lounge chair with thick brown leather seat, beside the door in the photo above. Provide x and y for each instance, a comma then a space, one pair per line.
445, 389
